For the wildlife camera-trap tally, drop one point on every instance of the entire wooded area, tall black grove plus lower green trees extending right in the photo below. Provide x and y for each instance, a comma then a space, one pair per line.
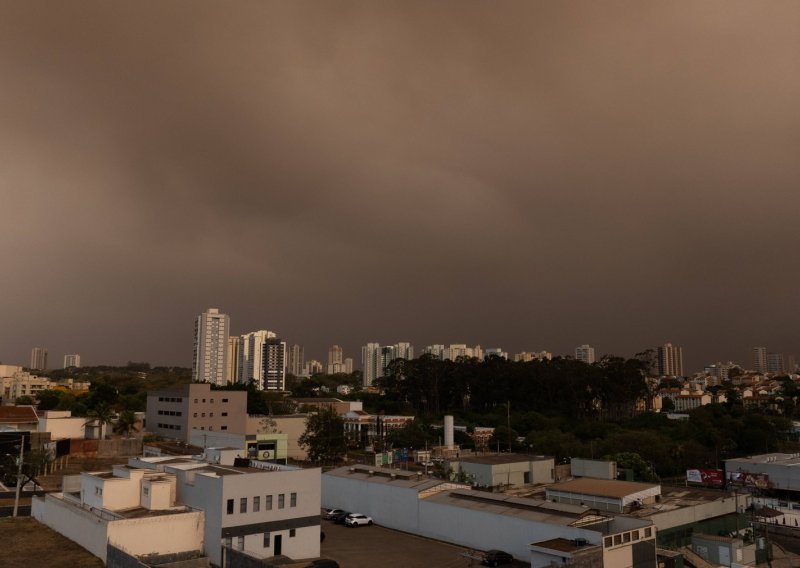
566, 408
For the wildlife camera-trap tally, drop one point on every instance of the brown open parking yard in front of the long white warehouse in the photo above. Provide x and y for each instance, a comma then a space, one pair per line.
365, 547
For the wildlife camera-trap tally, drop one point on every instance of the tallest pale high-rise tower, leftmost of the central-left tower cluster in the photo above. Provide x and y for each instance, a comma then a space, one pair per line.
210, 356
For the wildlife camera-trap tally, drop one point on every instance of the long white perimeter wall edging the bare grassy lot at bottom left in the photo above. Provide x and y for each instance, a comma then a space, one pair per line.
74, 523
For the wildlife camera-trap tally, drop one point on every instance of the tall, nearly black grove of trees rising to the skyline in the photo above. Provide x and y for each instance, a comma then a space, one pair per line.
611, 388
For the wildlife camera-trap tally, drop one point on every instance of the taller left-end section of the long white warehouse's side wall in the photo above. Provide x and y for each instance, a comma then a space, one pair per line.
395, 507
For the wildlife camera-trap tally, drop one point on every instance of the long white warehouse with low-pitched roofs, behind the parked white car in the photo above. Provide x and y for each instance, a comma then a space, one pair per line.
524, 527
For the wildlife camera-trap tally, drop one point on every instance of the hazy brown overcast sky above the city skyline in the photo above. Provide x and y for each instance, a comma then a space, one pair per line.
530, 175
